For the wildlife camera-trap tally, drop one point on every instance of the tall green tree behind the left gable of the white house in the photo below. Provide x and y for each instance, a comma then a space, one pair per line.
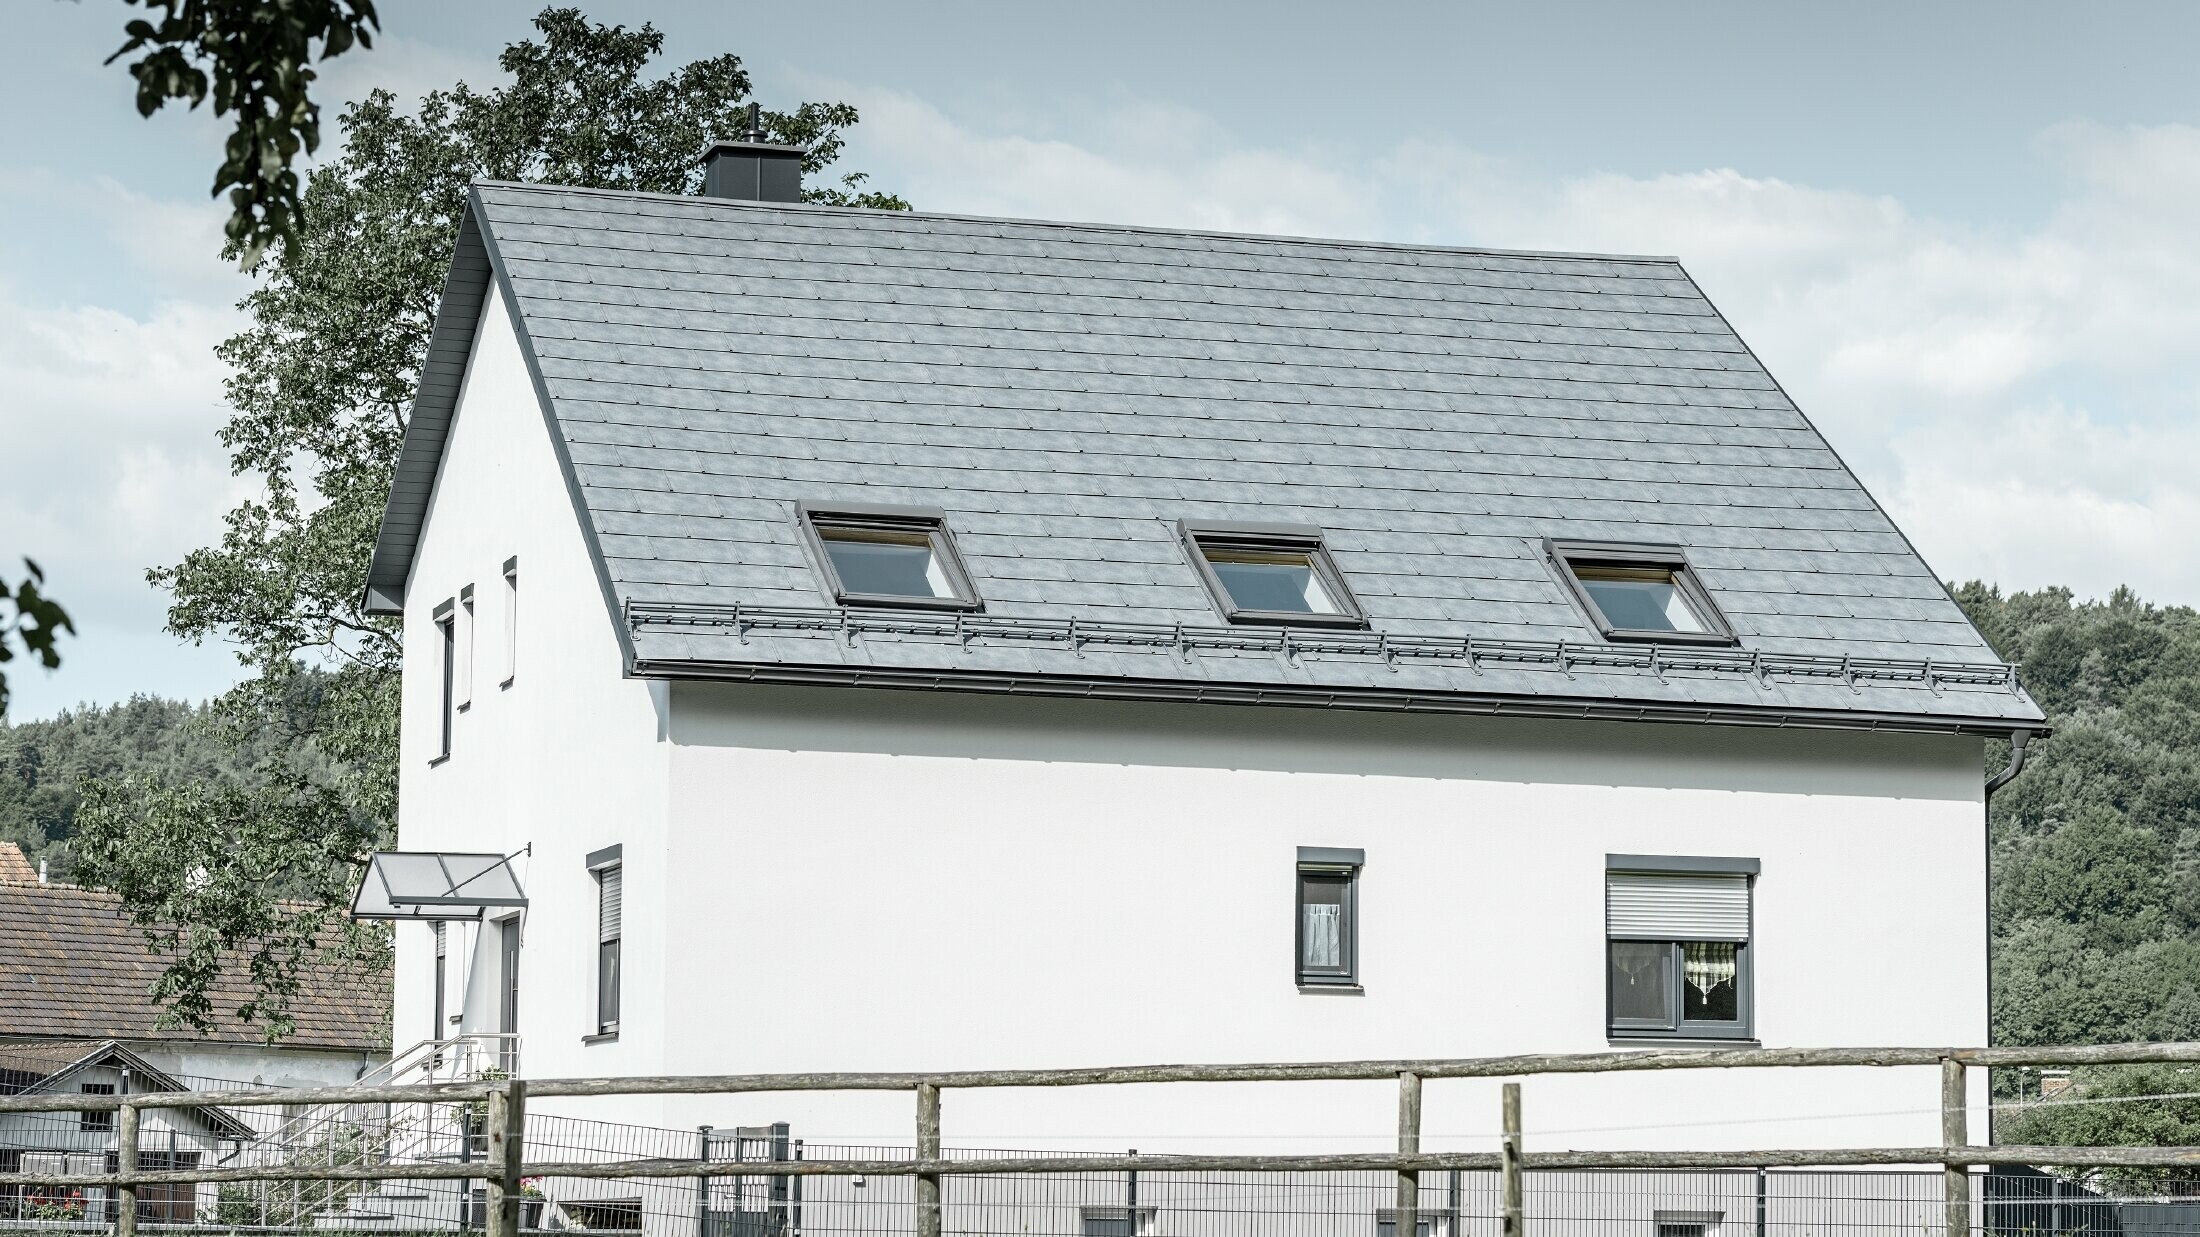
322, 384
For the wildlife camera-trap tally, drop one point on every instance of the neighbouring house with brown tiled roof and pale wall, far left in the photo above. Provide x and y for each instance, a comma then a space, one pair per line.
78, 972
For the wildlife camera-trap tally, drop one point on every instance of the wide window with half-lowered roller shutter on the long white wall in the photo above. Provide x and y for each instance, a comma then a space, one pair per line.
1680, 948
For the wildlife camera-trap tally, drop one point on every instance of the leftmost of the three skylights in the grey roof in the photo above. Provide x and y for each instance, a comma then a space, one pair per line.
888, 556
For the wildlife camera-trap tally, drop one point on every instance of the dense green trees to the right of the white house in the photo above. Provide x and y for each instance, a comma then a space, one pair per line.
2095, 904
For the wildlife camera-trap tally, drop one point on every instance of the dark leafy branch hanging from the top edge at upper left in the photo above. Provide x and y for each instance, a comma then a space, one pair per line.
261, 54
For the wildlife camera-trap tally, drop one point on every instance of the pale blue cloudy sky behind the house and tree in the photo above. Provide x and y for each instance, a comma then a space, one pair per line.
1963, 237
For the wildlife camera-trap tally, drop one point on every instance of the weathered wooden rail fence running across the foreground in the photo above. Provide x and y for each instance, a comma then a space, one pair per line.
505, 1163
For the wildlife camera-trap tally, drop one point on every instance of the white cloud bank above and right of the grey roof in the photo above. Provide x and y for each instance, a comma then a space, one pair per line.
2023, 399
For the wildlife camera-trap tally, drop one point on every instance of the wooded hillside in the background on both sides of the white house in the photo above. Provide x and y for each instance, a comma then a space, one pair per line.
2095, 846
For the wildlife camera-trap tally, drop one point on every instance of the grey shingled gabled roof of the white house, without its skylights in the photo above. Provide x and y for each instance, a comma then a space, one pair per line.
1070, 393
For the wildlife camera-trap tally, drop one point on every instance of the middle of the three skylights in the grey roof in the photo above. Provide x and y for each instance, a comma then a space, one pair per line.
1270, 573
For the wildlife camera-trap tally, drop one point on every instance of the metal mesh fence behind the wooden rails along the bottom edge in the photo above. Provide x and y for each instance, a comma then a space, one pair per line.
767, 1203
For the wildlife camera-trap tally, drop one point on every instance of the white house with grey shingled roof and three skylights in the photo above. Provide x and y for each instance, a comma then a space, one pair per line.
912, 642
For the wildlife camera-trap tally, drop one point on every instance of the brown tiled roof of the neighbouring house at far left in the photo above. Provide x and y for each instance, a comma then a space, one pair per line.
76, 967
